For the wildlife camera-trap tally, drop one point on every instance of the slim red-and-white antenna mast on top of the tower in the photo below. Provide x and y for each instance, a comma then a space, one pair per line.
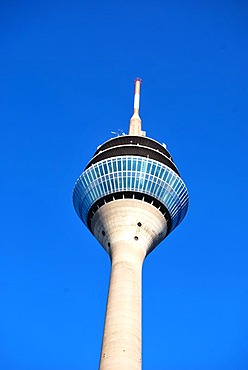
135, 121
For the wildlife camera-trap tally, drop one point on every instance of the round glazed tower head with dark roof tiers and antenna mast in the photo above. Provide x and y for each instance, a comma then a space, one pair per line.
132, 166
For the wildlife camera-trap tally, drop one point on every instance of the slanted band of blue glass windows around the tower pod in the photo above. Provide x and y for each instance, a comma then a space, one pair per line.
131, 173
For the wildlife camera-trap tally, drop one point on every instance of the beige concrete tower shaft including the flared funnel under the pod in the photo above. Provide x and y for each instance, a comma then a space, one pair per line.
132, 228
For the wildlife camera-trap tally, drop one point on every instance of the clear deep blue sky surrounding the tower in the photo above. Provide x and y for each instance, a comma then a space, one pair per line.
66, 82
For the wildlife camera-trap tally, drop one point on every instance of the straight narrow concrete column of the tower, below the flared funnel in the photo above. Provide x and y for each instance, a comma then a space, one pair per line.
121, 347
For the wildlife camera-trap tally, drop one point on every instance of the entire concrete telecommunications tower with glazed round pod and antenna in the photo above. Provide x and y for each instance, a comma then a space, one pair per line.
130, 196
